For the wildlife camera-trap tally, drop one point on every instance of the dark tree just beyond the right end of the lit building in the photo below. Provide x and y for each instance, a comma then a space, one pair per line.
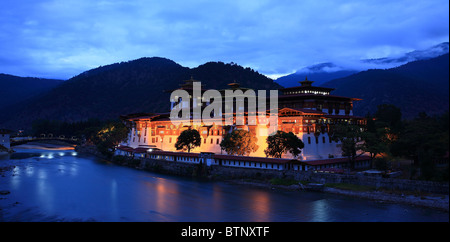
349, 135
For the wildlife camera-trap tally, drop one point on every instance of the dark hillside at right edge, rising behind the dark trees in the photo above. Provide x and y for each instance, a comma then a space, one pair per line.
419, 86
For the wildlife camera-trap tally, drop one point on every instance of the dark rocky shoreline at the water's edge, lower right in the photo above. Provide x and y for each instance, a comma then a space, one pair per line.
434, 201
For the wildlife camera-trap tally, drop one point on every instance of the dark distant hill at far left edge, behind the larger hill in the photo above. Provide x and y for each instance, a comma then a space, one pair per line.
14, 89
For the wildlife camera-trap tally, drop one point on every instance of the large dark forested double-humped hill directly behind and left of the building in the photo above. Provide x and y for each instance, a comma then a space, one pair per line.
128, 87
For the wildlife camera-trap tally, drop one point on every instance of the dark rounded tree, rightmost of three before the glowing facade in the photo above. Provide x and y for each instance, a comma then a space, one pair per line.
283, 142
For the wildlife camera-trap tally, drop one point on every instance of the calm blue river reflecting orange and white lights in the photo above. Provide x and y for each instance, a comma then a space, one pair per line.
62, 185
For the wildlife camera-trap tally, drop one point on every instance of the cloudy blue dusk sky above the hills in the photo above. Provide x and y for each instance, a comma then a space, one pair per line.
62, 38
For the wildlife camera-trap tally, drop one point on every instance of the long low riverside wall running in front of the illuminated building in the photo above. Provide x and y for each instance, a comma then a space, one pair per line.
223, 173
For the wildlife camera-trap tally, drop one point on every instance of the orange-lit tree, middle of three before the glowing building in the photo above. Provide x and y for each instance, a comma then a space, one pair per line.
239, 142
